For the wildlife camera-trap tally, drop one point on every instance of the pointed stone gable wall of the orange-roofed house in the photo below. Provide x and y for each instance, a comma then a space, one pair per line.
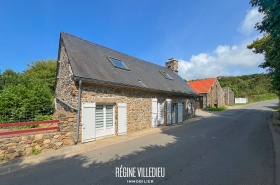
214, 94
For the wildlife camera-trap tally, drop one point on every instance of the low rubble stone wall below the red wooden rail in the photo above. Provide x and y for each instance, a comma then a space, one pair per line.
12, 147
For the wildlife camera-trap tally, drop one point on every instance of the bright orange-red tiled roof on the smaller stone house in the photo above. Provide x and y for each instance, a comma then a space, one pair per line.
202, 86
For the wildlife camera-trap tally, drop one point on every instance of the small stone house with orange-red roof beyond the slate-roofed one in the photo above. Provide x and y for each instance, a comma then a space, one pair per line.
210, 91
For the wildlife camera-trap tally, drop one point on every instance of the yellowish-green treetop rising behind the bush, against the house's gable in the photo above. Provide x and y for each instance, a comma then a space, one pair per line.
44, 70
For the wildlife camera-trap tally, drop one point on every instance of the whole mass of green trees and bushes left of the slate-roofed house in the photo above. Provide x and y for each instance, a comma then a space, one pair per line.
28, 96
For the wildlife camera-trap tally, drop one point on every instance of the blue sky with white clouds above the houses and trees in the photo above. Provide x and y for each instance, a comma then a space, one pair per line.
208, 38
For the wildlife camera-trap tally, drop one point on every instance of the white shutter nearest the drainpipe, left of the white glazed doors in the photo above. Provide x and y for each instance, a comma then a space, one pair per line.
88, 122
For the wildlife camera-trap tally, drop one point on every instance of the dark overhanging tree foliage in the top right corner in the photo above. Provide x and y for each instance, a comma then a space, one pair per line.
269, 45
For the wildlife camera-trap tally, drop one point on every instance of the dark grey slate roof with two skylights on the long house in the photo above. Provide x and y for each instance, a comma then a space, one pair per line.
90, 61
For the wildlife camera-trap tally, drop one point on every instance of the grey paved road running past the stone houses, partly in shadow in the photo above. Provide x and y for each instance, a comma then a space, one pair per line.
232, 147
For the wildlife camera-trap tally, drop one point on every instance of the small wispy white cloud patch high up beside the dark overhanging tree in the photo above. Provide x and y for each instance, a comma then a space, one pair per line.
246, 27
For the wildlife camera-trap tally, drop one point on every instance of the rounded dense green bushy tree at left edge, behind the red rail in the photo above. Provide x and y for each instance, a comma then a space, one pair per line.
25, 100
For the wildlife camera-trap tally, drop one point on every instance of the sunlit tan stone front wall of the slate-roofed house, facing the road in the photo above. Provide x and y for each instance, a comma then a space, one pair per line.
139, 103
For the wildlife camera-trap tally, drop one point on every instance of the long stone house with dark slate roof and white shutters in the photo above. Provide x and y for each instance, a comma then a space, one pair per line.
111, 93
